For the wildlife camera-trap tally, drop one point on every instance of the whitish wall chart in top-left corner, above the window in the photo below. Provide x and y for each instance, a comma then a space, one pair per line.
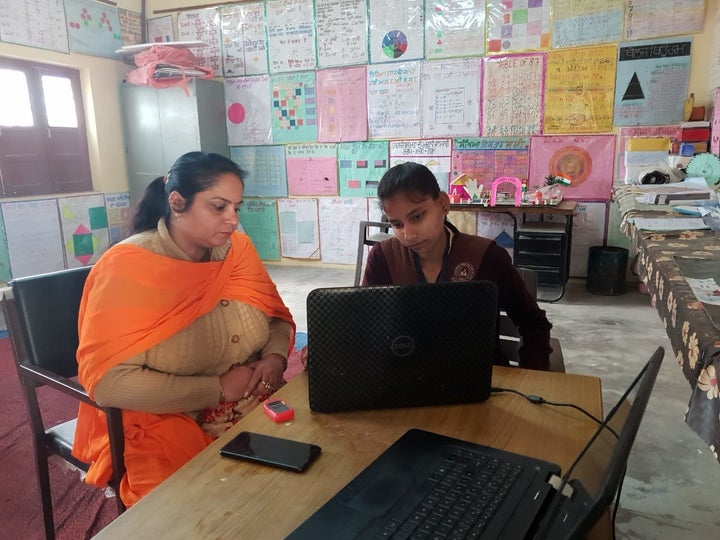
35, 23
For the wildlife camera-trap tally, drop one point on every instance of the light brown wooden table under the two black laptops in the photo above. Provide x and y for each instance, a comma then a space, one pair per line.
216, 497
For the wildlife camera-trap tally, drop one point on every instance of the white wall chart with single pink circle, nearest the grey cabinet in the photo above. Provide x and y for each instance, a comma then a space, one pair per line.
247, 106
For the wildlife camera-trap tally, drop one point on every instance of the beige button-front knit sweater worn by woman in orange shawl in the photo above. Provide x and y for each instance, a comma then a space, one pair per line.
181, 373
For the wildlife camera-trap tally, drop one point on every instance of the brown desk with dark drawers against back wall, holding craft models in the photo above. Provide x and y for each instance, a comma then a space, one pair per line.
529, 236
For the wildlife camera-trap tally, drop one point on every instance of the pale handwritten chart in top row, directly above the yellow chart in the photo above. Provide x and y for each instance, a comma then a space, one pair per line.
586, 22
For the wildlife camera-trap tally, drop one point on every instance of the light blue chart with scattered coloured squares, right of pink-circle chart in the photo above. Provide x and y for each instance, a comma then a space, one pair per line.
293, 108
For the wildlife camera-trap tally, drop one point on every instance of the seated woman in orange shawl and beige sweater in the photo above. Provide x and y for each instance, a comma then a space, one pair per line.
180, 326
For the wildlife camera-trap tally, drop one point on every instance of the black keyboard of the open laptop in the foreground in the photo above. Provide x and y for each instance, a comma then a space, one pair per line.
465, 491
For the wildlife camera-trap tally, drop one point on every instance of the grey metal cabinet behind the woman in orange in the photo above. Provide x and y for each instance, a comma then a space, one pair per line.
160, 125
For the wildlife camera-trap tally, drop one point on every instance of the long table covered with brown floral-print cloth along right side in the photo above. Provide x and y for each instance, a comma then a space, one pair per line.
681, 269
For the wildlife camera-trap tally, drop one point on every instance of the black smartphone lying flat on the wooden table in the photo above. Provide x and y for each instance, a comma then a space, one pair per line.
273, 451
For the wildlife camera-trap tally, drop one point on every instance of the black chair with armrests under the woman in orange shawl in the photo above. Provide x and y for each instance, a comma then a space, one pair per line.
41, 314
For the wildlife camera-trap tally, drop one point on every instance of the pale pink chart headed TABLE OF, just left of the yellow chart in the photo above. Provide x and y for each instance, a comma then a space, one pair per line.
513, 89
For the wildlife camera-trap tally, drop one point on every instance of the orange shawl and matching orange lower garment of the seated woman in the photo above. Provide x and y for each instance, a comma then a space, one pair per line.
134, 299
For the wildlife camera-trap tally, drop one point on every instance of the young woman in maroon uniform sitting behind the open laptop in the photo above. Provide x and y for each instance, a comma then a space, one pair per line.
427, 248
